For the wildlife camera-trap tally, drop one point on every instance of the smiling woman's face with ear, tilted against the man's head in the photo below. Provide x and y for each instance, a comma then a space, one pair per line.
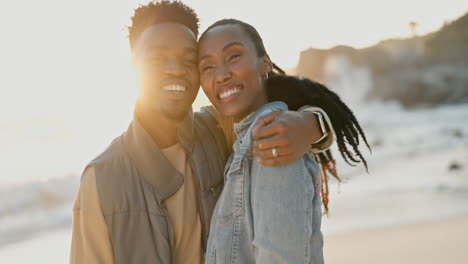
231, 72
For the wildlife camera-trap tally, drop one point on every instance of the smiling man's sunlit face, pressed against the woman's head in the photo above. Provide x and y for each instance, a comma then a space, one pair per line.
166, 60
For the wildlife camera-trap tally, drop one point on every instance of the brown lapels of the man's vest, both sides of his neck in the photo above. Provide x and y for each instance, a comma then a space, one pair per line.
151, 162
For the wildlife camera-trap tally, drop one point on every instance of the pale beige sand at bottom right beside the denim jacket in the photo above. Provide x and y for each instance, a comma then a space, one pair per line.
442, 241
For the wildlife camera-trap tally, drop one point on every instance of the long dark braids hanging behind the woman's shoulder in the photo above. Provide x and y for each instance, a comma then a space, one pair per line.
297, 92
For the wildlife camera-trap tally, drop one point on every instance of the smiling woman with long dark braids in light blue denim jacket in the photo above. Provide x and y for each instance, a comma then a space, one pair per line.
264, 214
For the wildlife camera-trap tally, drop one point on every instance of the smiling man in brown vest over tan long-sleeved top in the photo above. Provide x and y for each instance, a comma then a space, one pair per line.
149, 197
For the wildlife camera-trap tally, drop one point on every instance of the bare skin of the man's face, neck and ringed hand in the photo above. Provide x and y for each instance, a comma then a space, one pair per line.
169, 82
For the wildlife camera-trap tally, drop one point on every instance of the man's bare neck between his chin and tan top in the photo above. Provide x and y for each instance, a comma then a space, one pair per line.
161, 129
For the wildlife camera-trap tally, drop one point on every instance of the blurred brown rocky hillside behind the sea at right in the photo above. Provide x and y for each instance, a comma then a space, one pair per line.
422, 70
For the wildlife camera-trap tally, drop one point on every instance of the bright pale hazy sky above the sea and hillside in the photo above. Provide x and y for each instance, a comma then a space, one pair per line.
72, 57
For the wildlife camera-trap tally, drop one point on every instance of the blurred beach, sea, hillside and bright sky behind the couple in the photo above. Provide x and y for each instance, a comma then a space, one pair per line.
67, 88
